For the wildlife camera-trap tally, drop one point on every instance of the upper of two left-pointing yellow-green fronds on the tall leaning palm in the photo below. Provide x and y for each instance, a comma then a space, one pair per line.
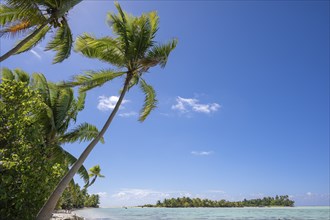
105, 49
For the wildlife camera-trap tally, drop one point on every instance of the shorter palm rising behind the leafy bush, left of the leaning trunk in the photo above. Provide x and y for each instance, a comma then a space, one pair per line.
60, 110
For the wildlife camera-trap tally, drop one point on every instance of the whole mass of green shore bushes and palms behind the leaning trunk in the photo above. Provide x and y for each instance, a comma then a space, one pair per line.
34, 120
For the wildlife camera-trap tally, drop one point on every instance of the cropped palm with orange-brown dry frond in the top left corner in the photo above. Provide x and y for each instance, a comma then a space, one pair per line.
35, 18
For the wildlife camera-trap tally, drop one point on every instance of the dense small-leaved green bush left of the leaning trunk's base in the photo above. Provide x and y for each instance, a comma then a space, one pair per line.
27, 175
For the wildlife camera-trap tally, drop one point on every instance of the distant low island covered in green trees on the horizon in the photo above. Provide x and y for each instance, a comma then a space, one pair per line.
186, 202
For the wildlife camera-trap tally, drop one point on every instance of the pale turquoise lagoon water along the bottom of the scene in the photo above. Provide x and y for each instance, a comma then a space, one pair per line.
296, 213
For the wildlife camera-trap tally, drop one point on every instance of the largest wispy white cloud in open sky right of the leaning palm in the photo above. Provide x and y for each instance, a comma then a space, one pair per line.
184, 105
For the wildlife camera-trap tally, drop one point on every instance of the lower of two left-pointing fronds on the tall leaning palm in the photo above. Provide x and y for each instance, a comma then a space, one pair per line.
93, 79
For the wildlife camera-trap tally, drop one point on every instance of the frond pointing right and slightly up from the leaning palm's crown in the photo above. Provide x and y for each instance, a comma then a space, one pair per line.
158, 54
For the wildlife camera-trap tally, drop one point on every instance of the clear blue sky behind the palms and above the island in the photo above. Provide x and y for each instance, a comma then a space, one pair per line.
243, 106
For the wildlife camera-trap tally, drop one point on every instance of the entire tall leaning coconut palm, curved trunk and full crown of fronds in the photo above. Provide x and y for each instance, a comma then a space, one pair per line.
133, 51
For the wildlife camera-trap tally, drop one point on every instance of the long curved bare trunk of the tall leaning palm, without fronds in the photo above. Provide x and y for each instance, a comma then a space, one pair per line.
46, 211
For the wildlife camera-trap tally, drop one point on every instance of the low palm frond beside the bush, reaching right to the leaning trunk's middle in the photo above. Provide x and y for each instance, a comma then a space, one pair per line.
83, 132
